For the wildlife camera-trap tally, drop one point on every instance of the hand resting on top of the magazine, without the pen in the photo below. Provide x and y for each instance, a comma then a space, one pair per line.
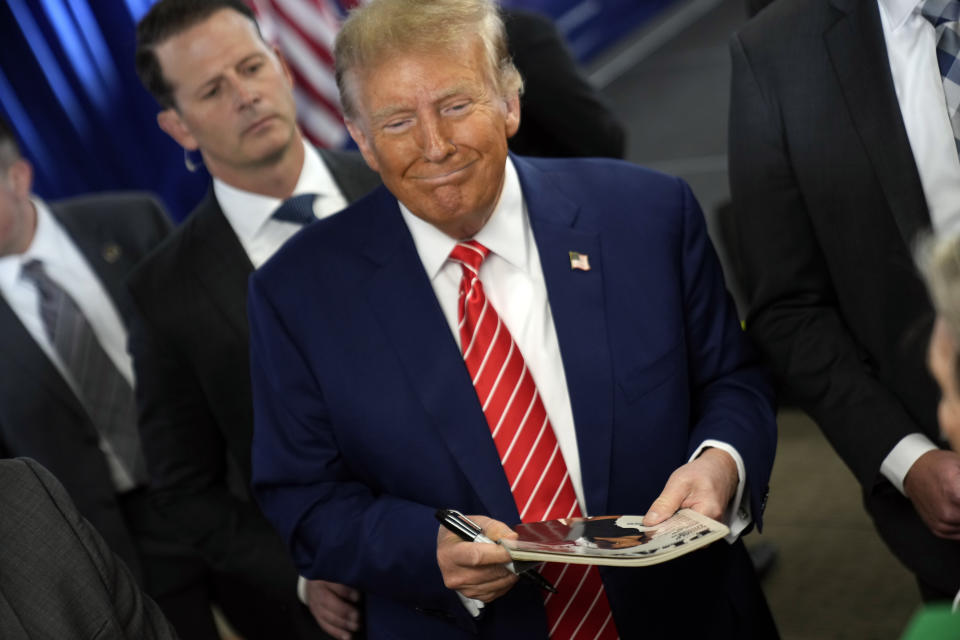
705, 485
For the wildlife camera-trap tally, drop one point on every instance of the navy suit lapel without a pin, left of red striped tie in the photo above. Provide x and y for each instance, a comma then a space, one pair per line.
403, 301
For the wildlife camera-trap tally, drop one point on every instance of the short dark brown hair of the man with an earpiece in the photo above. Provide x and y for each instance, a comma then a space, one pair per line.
166, 19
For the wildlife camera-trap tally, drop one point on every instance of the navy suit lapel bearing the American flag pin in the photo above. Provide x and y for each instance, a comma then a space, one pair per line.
579, 316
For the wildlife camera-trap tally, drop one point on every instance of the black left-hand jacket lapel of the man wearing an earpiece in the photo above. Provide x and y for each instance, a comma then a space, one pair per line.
220, 263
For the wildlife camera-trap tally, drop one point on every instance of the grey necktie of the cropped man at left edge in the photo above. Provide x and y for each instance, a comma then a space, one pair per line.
103, 391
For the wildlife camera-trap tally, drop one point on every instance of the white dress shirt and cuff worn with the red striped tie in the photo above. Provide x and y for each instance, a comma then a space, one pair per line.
513, 282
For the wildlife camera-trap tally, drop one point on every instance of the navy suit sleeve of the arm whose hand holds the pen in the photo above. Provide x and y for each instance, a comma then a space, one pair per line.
336, 527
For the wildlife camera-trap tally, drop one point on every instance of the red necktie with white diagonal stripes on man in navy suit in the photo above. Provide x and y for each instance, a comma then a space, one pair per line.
528, 449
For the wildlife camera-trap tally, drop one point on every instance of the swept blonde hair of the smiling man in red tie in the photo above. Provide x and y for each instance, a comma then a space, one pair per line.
384, 27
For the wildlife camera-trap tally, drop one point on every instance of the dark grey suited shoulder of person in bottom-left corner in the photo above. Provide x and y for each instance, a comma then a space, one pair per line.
60, 578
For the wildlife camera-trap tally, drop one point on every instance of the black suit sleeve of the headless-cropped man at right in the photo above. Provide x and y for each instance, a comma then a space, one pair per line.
793, 310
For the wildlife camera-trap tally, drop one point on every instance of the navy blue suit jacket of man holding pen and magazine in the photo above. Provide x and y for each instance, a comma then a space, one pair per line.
366, 420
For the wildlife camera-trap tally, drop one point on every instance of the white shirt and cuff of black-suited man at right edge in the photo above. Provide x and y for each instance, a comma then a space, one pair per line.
911, 49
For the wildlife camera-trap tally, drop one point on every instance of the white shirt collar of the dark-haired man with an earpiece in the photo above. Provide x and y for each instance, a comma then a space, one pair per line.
247, 212
